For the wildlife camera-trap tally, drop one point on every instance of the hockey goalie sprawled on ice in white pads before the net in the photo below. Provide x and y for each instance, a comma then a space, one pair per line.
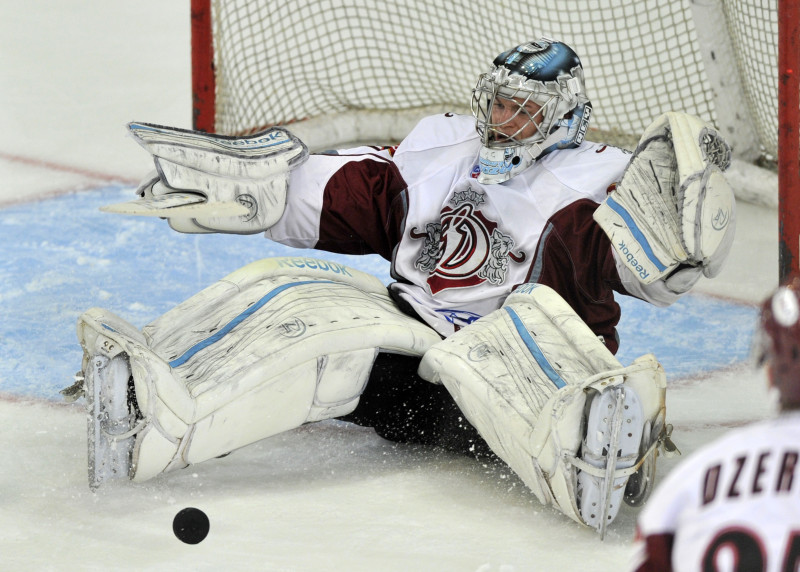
508, 234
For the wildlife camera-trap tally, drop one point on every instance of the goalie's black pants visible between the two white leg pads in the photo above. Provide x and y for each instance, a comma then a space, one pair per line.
403, 407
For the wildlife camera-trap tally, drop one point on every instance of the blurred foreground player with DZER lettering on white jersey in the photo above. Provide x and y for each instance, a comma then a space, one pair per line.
735, 503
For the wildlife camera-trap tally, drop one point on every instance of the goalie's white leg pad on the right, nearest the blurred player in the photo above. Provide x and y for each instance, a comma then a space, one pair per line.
521, 376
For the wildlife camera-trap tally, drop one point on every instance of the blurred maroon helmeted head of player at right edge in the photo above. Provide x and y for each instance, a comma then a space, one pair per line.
777, 342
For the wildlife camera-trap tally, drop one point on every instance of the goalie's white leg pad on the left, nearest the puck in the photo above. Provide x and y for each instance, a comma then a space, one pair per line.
279, 343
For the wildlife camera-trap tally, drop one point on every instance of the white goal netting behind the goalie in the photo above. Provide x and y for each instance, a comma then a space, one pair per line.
283, 61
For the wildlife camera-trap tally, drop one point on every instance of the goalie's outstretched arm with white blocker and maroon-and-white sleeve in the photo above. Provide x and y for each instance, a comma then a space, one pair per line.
244, 185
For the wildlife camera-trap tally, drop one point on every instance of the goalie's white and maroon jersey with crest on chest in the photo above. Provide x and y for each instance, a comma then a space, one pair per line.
457, 247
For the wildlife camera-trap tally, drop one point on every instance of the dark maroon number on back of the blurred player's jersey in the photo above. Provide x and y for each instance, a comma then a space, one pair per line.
748, 552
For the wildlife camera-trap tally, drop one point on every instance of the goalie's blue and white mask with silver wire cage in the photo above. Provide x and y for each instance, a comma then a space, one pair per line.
532, 102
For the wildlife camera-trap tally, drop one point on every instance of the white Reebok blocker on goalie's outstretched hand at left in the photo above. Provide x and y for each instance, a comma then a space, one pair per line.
214, 183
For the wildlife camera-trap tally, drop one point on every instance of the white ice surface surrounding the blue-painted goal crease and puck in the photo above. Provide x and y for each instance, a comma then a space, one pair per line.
324, 497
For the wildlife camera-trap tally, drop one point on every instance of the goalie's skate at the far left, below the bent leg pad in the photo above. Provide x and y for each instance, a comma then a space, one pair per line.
111, 418
